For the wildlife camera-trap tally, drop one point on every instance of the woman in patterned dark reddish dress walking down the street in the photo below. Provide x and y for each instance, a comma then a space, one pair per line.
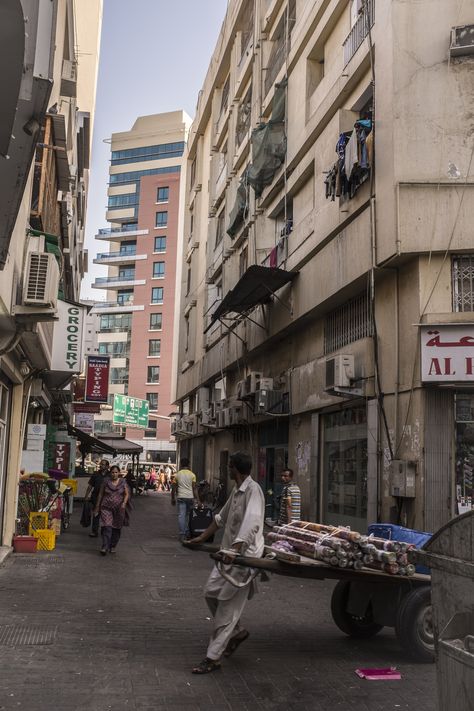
111, 505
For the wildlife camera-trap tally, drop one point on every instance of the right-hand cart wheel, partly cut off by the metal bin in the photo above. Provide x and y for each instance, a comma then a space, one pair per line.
414, 625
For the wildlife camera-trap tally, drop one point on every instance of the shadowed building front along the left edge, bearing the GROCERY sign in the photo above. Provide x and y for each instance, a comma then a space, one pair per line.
45, 131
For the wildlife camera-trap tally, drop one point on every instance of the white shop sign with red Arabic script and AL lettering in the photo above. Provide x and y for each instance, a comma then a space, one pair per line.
447, 353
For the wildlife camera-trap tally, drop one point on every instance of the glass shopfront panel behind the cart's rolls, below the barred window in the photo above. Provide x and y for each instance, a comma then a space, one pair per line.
344, 473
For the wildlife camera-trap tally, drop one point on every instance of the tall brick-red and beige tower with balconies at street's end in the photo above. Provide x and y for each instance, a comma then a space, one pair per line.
136, 323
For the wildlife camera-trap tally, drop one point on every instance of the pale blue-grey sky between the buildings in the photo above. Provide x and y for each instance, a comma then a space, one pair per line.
154, 58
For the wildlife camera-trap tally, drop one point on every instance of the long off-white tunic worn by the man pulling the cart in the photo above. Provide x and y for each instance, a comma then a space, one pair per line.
242, 518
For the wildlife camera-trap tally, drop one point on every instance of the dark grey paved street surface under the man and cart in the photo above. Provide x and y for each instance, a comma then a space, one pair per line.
79, 632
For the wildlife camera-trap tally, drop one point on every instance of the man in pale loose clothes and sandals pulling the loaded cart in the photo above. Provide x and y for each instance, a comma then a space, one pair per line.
242, 519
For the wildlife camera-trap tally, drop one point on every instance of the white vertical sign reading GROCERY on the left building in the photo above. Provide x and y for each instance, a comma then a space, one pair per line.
67, 338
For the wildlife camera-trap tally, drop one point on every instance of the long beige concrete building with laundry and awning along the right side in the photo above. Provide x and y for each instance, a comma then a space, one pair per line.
328, 258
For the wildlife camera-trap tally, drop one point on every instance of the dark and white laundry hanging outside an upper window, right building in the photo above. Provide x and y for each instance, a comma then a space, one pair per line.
352, 167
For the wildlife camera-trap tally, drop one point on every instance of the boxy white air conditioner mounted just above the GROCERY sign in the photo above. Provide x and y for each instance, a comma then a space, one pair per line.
41, 282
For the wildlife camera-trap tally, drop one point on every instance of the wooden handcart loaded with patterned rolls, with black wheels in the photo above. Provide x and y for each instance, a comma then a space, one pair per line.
377, 584
